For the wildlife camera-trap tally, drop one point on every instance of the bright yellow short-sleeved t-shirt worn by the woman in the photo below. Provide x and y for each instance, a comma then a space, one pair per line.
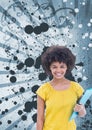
59, 105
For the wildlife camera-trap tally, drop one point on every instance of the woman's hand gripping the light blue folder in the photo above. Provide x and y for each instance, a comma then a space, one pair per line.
80, 109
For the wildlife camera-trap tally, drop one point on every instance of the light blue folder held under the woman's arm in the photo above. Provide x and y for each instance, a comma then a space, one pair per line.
83, 100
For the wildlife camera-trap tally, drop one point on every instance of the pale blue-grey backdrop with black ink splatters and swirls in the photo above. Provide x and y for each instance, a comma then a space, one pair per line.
27, 29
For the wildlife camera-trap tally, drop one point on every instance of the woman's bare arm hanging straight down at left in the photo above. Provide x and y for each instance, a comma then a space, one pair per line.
40, 113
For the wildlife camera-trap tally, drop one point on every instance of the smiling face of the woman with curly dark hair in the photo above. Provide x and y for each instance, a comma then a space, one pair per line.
58, 69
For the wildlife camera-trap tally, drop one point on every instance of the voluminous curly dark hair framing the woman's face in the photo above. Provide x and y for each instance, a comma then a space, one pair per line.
58, 53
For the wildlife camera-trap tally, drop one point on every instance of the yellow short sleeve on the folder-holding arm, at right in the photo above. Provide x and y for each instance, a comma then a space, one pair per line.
78, 89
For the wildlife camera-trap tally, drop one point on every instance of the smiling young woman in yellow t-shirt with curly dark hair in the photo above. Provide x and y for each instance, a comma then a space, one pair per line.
57, 98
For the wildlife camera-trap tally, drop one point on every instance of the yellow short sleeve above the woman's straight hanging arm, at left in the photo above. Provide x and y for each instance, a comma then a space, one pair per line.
42, 91
